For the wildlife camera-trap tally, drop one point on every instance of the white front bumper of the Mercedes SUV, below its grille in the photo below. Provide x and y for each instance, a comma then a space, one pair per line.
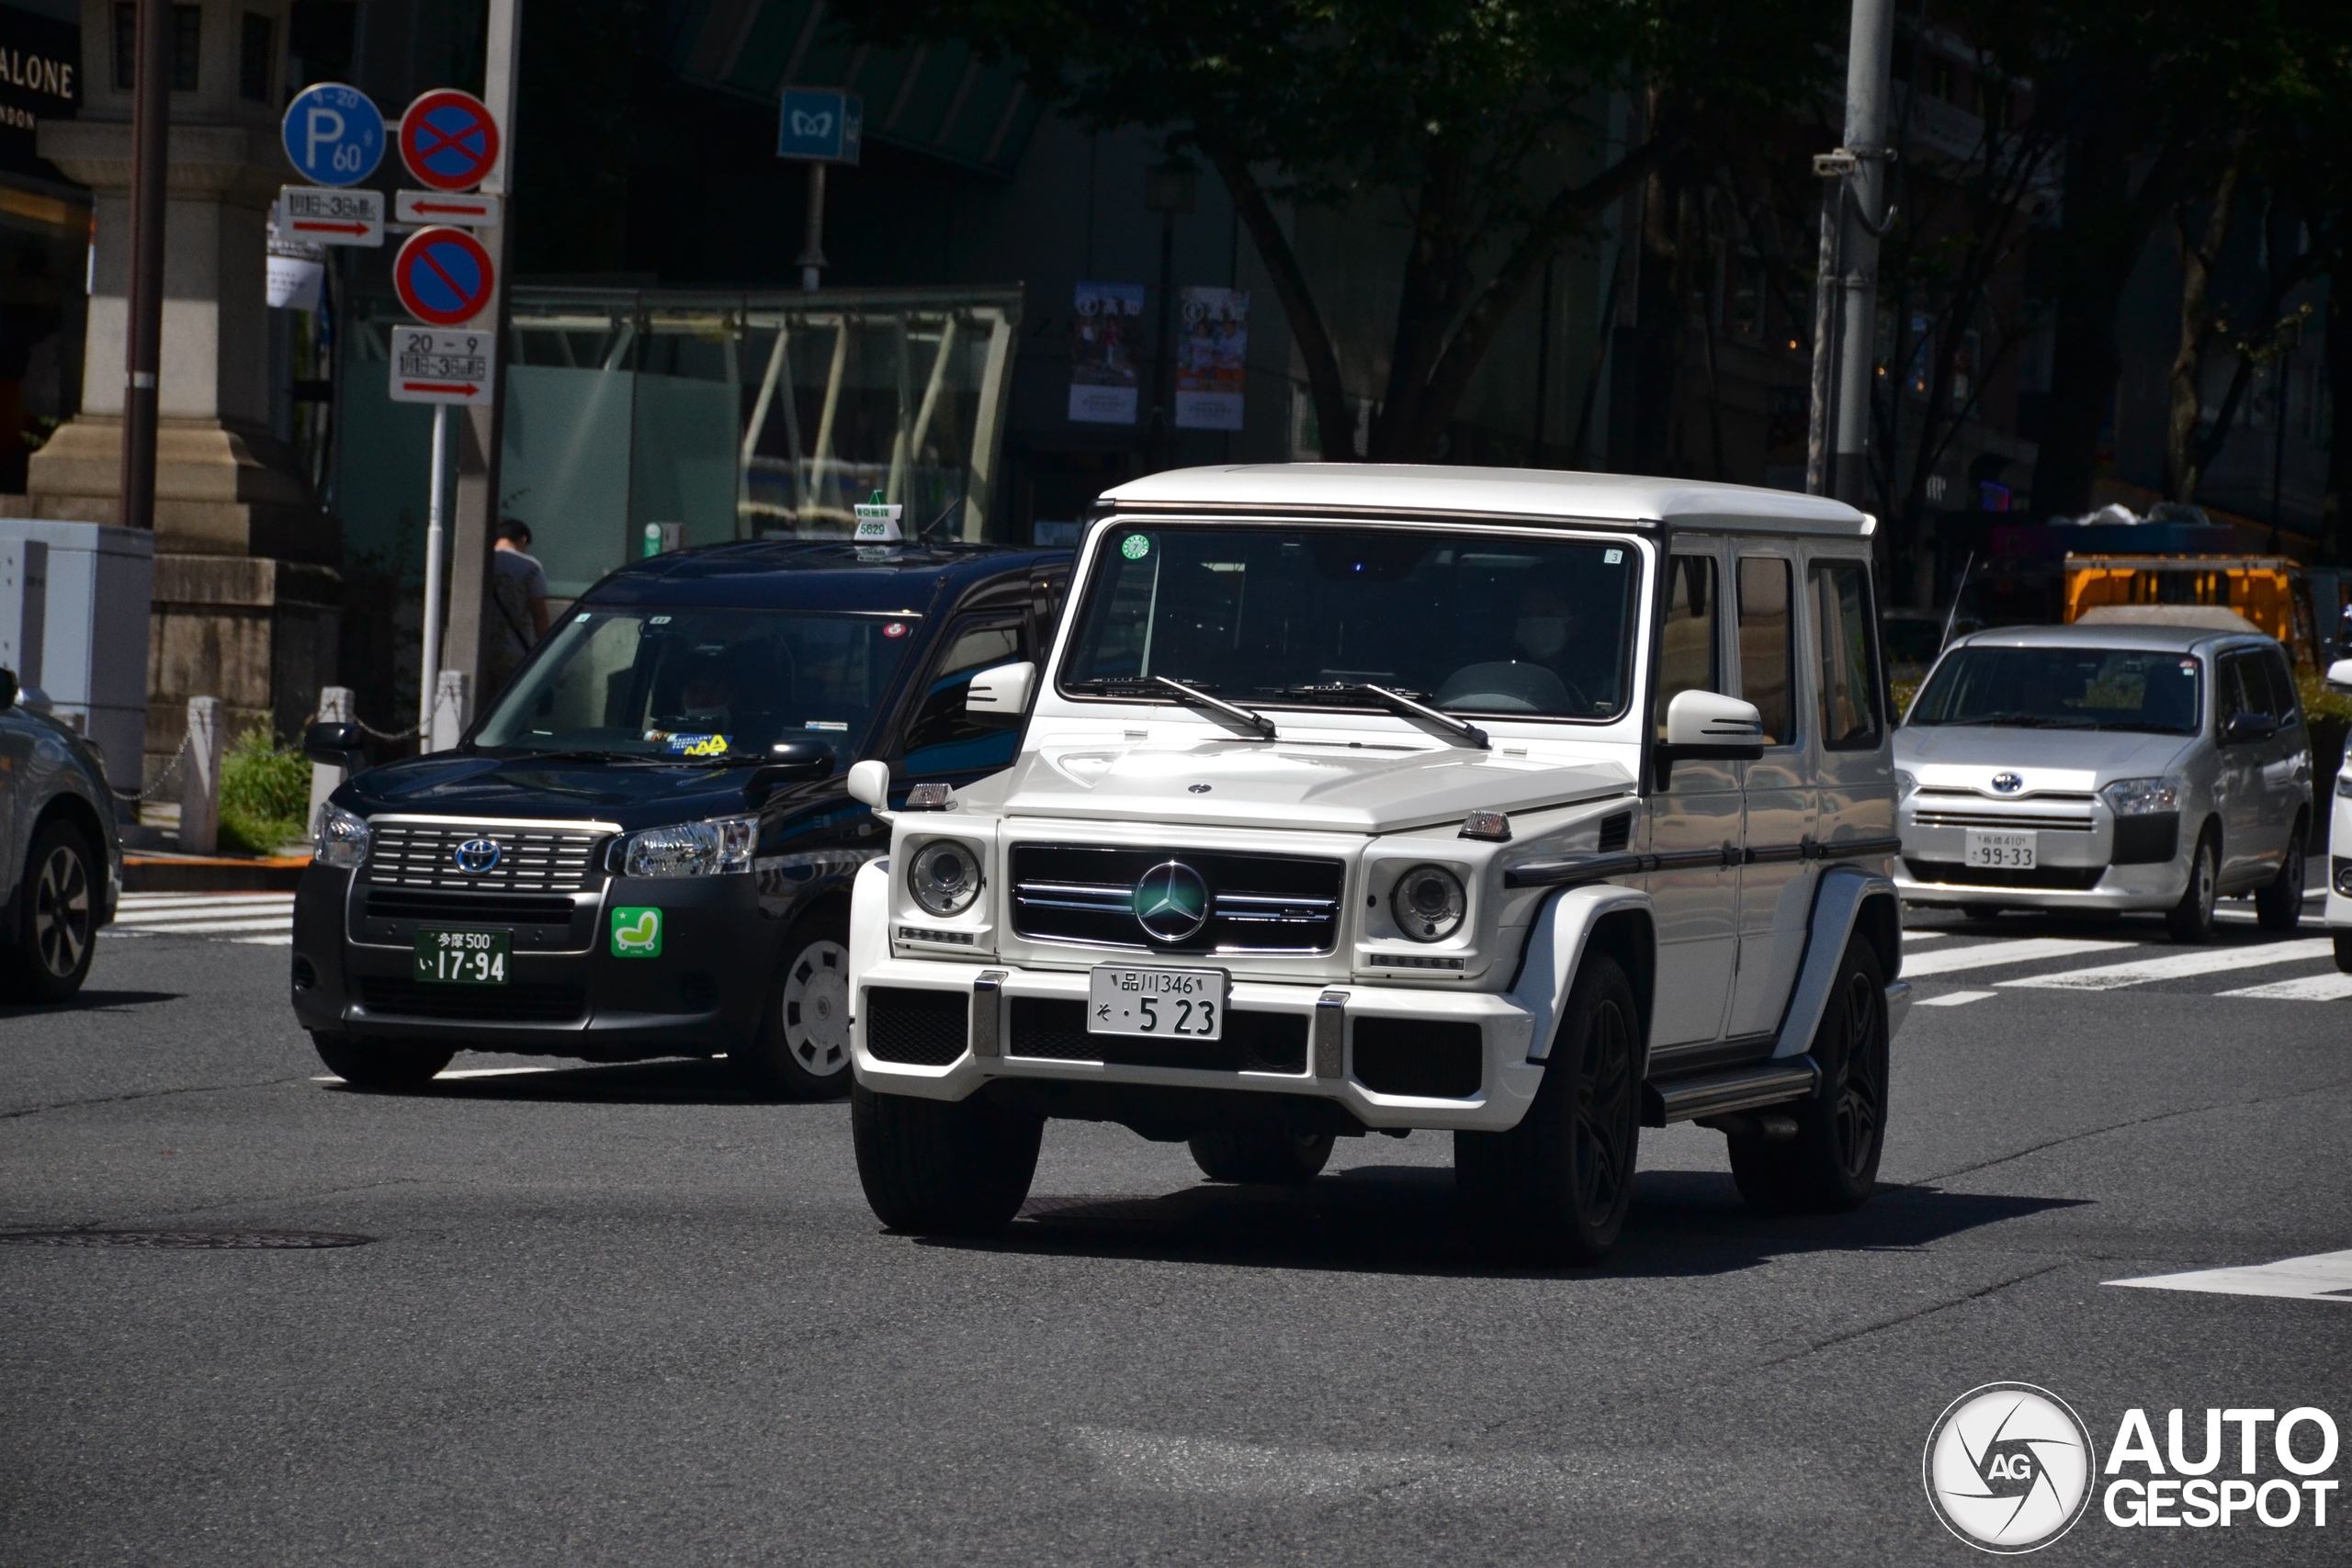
1332, 1019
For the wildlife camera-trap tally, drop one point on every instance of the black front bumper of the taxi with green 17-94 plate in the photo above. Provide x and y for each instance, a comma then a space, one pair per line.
568, 993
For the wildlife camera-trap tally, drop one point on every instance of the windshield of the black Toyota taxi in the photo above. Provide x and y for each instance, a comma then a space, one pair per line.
700, 683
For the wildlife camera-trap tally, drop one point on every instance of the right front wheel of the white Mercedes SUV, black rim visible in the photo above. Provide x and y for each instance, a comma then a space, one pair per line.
1558, 1186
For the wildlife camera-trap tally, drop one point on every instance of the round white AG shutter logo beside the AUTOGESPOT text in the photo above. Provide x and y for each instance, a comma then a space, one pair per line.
2010, 1468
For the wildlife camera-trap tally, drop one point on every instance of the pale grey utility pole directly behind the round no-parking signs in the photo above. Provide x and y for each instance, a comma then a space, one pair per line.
483, 429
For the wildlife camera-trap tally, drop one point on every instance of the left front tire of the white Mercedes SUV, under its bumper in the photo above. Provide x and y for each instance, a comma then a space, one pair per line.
947, 1170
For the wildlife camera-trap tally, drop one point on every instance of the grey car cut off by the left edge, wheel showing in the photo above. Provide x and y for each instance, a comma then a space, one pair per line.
60, 855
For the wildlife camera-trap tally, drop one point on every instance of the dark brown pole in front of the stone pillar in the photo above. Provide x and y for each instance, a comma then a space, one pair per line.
152, 159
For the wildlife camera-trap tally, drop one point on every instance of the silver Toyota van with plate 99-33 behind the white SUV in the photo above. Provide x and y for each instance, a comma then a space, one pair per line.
2104, 770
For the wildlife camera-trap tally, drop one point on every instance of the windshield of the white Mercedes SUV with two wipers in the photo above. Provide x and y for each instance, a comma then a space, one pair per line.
1469, 624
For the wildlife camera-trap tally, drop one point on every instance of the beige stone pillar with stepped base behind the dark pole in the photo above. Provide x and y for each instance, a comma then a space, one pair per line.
246, 561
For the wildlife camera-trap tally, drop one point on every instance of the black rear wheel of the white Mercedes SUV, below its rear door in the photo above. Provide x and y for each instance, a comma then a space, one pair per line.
1833, 1162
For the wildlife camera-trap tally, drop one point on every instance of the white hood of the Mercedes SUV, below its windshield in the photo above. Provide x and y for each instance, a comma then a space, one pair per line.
1335, 789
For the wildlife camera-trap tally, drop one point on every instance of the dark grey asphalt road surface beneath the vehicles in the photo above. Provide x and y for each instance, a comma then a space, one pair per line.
613, 1315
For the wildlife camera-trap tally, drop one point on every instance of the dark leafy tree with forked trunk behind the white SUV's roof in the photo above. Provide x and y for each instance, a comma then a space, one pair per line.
1478, 121
